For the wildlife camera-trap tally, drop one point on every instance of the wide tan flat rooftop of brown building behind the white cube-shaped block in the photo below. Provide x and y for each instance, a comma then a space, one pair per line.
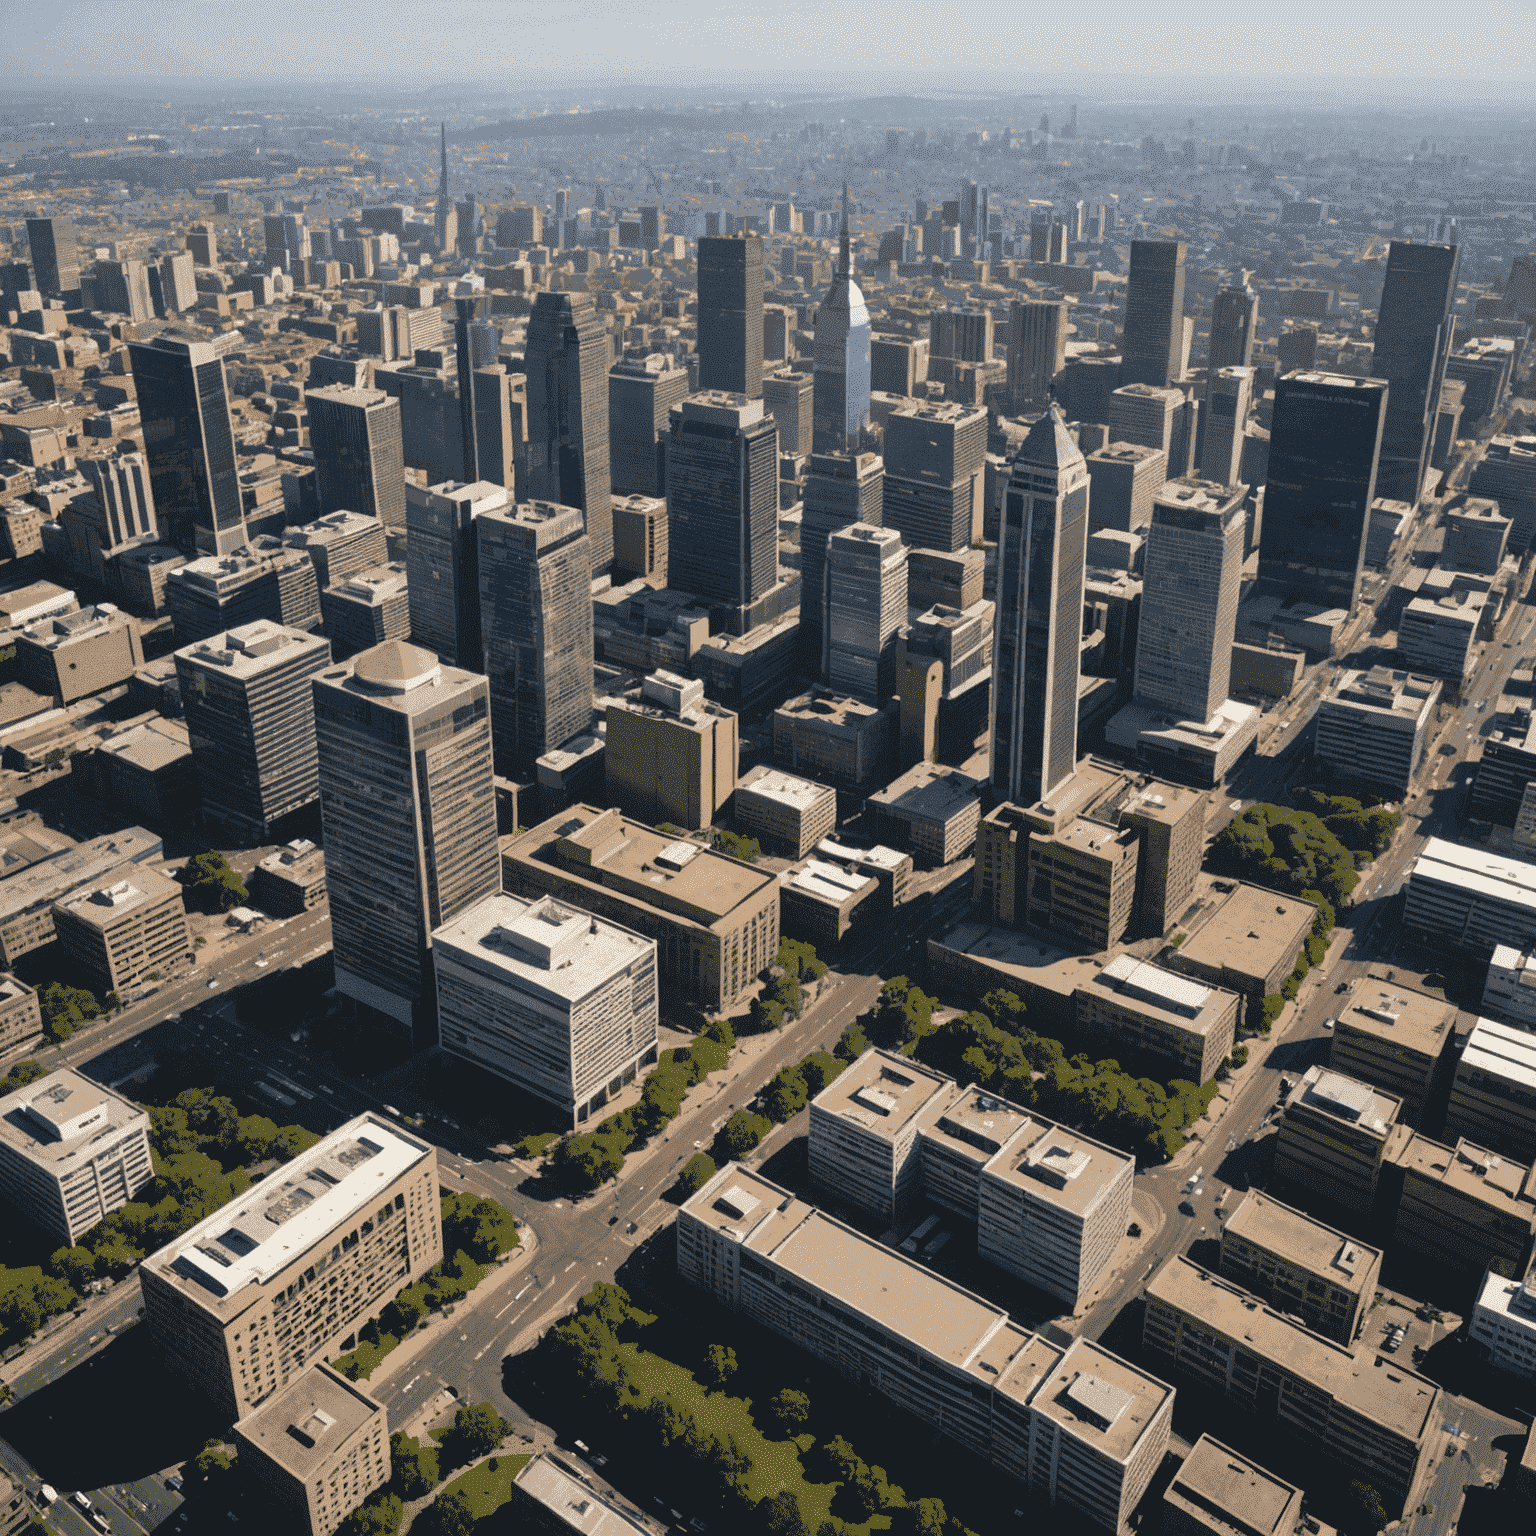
609, 850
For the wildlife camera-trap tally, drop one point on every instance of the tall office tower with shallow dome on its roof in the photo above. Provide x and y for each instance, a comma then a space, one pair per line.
409, 809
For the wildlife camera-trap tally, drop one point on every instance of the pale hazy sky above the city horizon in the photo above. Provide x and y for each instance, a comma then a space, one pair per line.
882, 45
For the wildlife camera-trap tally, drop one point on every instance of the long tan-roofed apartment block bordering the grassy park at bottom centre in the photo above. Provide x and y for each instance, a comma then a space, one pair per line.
1079, 1428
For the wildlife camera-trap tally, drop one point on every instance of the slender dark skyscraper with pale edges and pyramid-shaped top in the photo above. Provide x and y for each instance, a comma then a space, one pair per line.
1042, 554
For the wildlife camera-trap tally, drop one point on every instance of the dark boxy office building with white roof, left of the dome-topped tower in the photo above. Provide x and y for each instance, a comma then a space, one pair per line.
250, 706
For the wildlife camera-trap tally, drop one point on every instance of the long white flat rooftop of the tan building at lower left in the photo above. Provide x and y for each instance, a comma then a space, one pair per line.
268, 1228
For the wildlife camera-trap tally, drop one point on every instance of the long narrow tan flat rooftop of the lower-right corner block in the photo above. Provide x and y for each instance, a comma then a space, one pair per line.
1372, 1385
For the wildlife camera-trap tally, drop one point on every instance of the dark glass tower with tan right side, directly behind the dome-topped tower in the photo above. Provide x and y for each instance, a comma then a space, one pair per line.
535, 588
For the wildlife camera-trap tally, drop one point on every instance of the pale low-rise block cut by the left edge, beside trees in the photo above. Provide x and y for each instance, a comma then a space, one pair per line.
71, 1153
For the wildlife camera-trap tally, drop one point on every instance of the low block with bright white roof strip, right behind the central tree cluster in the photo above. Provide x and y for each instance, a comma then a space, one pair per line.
1142, 1007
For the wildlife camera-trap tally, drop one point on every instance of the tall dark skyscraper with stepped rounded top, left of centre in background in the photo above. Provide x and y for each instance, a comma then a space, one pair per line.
568, 363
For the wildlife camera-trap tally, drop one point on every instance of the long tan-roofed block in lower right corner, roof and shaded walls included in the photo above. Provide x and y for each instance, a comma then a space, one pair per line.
1379, 1420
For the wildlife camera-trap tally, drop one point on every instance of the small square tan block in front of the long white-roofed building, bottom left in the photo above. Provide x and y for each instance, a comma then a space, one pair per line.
317, 1451
